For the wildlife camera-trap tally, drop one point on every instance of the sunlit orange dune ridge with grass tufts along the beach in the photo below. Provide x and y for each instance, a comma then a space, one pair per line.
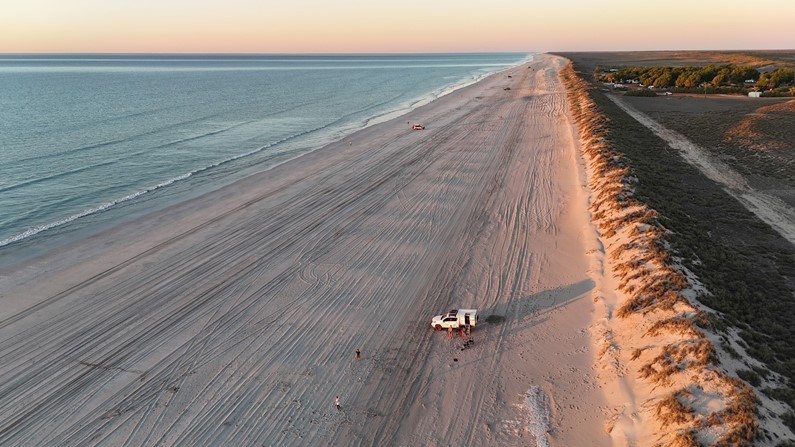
654, 337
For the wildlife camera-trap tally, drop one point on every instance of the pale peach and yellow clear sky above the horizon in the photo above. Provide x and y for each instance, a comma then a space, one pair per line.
390, 26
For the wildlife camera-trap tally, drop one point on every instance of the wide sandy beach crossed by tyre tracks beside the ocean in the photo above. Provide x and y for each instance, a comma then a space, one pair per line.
233, 319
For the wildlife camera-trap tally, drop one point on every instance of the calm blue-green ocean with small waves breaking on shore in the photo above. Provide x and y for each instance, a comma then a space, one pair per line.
89, 140
